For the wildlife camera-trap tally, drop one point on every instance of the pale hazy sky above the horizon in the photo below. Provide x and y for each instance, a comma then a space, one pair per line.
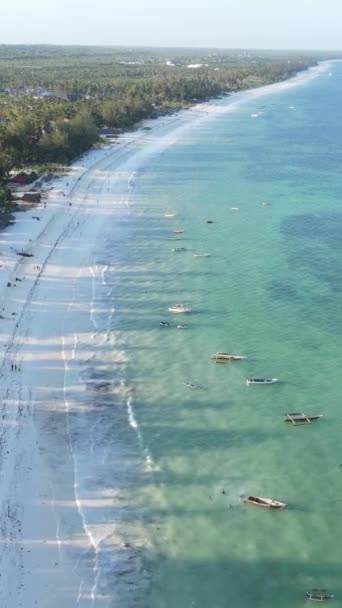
298, 24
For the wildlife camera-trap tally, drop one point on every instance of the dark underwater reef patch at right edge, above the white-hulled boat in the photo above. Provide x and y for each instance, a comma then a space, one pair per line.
313, 243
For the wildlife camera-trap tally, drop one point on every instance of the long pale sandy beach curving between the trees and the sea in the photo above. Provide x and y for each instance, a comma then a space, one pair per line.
47, 313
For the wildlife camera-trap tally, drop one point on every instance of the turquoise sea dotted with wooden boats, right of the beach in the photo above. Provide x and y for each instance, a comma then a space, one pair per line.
271, 289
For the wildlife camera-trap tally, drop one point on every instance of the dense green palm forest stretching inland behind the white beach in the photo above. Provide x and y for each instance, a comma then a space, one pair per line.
54, 99
